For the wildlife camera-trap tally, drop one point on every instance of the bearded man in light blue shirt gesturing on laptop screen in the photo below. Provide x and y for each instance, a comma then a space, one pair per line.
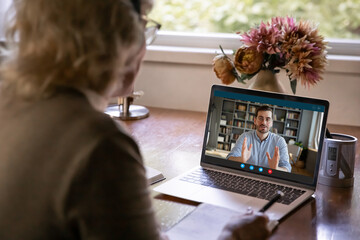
262, 147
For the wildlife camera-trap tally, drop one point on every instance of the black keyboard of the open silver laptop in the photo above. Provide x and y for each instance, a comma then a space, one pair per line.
242, 185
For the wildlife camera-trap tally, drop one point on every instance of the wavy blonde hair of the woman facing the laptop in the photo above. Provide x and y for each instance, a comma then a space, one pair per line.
71, 43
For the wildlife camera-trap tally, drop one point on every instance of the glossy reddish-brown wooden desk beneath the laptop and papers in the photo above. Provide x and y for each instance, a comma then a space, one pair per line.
171, 141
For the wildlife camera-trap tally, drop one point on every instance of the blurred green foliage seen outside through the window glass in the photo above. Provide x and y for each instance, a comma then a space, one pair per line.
335, 18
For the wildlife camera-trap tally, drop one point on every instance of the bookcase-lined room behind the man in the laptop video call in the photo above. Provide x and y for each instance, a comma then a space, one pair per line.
299, 127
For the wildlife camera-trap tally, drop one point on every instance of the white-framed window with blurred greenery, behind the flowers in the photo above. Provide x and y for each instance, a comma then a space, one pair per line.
193, 30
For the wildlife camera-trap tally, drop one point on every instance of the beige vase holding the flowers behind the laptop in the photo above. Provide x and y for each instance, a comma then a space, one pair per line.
266, 80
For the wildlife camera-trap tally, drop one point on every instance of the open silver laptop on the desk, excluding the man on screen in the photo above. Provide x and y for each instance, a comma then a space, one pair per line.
238, 186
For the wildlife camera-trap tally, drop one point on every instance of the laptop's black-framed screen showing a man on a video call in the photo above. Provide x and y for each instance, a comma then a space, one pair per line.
269, 134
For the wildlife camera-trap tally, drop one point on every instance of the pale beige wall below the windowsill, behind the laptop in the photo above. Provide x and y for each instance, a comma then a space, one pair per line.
186, 85
